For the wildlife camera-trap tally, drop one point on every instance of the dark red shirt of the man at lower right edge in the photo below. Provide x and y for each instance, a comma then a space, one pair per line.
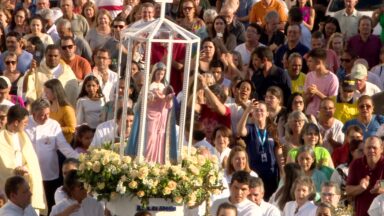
358, 170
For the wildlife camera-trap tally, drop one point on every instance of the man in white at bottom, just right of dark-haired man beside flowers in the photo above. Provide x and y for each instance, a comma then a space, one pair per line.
256, 195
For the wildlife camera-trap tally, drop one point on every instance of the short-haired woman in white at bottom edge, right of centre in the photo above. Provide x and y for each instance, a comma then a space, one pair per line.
304, 192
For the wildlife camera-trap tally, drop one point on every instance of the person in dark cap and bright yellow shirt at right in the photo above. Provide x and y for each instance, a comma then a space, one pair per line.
346, 106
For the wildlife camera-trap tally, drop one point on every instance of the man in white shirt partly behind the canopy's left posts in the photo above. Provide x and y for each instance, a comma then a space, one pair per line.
109, 131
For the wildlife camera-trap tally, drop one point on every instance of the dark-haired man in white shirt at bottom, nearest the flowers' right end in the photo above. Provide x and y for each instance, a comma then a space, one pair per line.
239, 190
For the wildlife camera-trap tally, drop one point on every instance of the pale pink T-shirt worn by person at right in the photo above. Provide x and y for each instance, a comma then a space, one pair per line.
327, 84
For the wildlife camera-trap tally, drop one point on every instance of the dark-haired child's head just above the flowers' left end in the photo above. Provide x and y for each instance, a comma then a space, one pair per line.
83, 138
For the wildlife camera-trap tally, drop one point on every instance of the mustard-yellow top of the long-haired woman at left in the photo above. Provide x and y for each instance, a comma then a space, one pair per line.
67, 120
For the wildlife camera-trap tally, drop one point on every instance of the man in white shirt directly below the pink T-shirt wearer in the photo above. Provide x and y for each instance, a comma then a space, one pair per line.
330, 127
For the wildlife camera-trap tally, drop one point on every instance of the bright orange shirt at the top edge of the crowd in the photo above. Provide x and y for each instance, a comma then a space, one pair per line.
259, 10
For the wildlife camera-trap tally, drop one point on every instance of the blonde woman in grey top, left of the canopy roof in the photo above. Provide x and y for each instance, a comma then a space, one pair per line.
98, 36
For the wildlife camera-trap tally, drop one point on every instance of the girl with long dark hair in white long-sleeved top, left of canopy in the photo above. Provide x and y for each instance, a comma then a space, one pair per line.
90, 103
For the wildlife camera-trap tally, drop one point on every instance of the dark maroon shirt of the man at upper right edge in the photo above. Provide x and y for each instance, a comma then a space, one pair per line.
369, 50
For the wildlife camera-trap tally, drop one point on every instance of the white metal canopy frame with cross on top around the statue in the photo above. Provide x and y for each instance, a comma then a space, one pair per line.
148, 33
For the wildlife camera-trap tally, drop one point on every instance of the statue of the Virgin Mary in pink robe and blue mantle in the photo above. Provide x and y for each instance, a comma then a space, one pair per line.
160, 144
